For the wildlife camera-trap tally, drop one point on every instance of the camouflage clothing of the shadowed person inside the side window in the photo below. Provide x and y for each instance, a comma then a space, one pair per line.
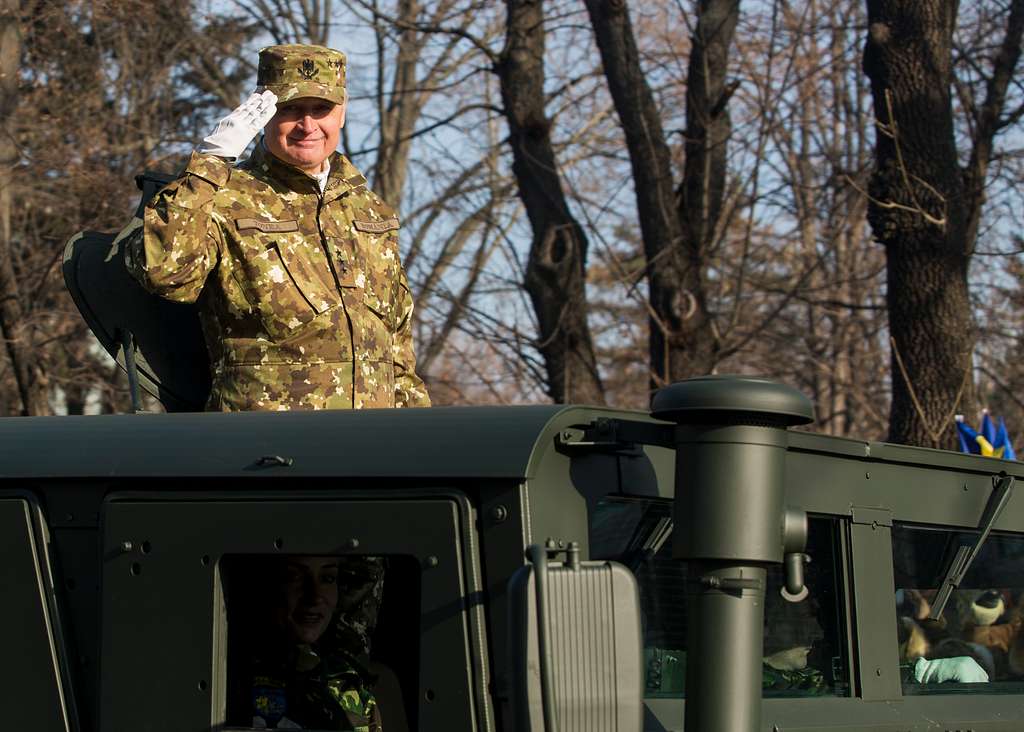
308, 692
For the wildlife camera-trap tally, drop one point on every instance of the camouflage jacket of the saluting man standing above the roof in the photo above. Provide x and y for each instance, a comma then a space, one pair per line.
303, 297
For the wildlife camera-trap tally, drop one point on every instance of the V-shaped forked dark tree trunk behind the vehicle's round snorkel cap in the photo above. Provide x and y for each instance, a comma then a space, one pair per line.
676, 228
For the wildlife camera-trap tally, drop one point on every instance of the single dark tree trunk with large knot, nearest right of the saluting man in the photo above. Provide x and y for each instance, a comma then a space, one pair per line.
557, 268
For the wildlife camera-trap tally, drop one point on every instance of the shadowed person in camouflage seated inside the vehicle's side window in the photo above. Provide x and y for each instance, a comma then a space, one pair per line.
308, 649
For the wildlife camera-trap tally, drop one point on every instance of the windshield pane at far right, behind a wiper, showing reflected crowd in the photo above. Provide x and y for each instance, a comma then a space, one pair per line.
977, 645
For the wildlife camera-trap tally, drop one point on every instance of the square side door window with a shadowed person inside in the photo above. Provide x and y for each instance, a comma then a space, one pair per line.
321, 642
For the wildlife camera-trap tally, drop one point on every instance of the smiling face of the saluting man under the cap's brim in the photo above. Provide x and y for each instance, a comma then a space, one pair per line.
306, 132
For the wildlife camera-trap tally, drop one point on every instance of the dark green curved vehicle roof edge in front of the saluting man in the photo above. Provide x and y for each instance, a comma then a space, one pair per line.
441, 443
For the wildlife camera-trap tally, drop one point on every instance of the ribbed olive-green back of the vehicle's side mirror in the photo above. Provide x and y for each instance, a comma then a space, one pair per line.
576, 649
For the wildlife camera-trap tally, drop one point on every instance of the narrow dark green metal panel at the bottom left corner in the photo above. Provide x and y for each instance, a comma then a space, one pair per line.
31, 683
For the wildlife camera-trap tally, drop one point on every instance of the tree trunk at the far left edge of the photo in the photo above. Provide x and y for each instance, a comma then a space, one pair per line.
18, 336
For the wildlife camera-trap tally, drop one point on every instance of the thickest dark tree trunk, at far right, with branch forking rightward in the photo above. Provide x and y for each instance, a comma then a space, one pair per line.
924, 208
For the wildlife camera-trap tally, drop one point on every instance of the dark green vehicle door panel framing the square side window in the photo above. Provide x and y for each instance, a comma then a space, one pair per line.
164, 619
